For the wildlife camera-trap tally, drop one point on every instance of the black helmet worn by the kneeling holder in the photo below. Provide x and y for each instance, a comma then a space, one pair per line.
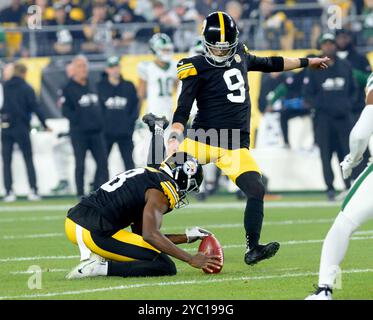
186, 172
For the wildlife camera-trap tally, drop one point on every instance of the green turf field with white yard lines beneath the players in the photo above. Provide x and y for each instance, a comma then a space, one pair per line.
33, 234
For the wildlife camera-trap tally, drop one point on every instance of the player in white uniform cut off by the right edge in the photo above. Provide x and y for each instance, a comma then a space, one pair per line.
357, 207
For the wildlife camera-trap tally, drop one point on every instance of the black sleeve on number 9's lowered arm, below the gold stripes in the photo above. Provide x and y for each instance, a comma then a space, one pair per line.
189, 87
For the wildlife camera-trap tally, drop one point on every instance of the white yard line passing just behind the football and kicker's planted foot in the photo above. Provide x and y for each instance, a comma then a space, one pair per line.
230, 246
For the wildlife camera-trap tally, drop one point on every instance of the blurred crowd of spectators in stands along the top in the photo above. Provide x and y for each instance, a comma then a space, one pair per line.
91, 27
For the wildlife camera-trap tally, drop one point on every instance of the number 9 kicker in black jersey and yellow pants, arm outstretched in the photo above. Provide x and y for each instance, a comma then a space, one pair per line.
218, 81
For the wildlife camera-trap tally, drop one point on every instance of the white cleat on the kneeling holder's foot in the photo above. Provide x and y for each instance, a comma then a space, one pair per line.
93, 267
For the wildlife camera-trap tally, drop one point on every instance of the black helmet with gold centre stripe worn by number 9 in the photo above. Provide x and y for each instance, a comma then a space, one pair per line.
220, 38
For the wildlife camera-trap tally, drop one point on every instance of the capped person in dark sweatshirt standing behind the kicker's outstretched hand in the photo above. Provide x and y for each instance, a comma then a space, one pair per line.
330, 93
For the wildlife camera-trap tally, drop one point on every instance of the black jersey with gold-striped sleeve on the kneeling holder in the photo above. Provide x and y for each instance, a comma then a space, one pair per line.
120, 202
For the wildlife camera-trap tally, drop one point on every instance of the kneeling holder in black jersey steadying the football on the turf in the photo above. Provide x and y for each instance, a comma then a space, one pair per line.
138, 198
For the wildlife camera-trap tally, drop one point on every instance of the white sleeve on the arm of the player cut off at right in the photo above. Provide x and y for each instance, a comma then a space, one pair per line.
361, 133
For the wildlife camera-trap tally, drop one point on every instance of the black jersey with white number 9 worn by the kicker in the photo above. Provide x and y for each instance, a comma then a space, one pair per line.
222, 93
